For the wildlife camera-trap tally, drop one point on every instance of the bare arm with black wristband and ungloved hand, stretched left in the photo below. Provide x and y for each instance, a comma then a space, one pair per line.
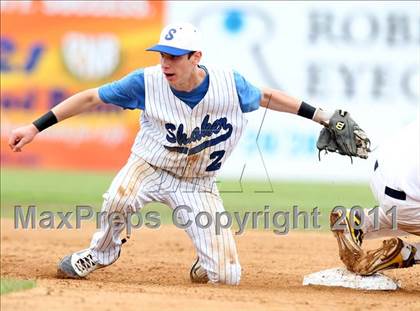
72, 106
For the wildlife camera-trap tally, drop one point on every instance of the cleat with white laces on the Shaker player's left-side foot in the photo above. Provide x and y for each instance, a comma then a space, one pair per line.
78, 265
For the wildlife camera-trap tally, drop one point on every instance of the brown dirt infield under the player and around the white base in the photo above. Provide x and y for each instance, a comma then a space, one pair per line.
152, 274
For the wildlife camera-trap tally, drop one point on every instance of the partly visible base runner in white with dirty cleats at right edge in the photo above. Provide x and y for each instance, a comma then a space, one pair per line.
396, 185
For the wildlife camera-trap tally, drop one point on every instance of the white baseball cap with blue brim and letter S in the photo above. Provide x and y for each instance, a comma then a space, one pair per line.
178, 39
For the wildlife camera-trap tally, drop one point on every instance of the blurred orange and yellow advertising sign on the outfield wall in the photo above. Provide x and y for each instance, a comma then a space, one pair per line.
51, 50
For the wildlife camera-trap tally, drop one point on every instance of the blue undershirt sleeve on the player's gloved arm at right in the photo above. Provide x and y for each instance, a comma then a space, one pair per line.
249, 95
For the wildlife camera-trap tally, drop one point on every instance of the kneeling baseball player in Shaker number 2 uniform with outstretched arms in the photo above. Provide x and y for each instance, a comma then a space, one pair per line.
192, 118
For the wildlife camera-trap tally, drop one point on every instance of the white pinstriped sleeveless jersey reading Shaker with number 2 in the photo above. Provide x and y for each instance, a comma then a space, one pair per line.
189, 142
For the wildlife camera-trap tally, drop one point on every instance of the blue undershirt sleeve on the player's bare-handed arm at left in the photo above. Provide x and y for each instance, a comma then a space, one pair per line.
128, 92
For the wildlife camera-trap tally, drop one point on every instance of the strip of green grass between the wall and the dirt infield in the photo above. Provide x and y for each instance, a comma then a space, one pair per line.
64, 190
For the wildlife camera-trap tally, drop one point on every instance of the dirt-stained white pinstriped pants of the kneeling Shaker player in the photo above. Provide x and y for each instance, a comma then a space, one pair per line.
139, 183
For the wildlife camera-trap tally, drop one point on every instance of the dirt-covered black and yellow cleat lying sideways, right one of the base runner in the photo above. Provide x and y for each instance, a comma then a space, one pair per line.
393, 253
